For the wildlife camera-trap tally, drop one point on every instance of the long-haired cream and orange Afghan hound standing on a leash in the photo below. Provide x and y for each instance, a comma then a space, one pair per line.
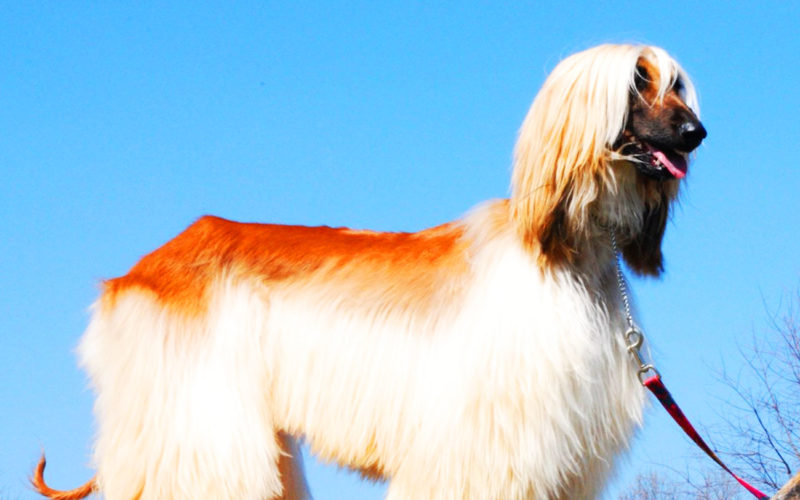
480, 359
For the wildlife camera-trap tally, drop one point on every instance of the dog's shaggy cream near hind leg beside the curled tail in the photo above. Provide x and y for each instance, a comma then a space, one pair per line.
182, 405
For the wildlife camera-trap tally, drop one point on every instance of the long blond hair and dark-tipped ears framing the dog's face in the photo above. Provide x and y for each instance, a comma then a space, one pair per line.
561, 160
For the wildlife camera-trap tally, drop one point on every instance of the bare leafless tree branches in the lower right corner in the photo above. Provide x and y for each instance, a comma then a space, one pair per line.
761, 431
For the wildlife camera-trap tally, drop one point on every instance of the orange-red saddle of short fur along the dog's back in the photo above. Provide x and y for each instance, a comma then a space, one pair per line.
384, 267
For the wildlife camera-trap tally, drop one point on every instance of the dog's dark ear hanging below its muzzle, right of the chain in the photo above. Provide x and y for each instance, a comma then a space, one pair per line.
643, 252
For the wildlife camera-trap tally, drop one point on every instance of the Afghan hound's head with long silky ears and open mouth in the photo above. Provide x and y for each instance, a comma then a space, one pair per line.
604, 147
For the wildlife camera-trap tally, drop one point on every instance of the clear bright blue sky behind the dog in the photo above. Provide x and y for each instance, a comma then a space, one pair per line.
120, 123
